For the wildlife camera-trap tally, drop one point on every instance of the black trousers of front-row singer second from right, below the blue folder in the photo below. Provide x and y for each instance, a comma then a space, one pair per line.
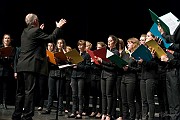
147, 88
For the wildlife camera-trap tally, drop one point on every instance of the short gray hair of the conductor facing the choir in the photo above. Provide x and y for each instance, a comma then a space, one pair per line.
29, 19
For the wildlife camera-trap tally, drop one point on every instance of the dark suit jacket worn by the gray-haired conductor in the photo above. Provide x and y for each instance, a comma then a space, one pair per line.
33, 50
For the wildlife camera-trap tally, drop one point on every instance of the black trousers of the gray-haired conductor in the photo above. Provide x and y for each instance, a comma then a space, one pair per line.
25, 96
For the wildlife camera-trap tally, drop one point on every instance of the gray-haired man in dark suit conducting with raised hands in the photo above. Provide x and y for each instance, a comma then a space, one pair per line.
31, 64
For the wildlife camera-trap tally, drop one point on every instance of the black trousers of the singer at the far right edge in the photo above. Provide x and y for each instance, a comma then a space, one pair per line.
172, 83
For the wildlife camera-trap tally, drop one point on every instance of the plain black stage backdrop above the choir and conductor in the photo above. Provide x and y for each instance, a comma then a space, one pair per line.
86, 19
